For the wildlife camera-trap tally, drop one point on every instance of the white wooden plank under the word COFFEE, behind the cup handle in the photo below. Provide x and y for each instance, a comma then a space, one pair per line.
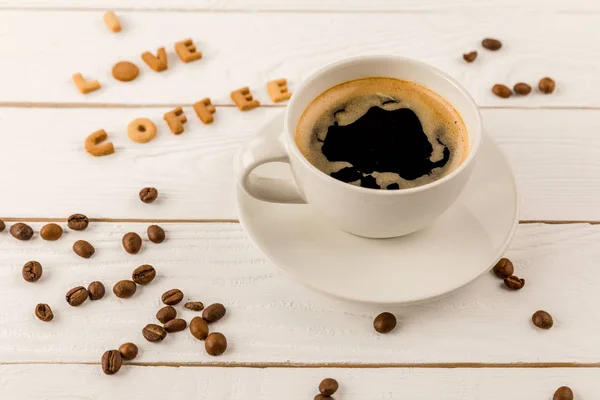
48, 174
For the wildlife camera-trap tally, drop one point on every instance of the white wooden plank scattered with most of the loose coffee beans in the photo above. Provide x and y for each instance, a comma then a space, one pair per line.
272, 321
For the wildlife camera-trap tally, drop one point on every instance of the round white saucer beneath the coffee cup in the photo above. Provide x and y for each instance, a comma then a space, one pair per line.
464, 243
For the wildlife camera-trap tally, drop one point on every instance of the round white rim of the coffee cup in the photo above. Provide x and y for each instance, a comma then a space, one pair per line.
470, 157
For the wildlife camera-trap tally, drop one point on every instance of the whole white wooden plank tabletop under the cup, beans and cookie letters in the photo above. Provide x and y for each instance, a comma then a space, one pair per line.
283, 338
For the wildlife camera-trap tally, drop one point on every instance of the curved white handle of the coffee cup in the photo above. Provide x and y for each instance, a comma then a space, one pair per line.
261, 151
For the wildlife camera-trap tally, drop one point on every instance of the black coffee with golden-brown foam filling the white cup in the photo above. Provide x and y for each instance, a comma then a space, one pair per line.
362, 109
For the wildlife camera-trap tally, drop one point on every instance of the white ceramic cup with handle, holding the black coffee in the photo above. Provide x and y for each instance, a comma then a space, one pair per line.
365, 212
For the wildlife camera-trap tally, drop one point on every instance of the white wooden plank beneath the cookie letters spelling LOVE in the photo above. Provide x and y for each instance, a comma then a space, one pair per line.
248, 50
